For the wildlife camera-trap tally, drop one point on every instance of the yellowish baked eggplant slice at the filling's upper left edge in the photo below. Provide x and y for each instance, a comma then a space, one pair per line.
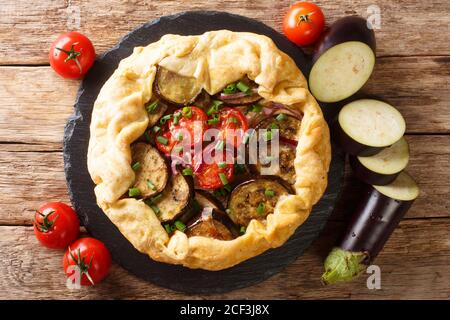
175, 88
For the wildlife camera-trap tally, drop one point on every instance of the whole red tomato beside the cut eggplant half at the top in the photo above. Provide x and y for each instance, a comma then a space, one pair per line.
303, 23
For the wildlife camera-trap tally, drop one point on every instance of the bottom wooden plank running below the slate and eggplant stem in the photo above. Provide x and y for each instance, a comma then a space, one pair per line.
412, 267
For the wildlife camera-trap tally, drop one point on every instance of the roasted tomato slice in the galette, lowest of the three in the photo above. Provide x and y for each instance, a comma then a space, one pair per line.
215, 171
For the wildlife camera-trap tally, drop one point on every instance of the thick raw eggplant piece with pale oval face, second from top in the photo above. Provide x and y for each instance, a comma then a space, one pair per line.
367, 126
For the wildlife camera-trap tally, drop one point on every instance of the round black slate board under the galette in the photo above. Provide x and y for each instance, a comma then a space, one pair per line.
76, 137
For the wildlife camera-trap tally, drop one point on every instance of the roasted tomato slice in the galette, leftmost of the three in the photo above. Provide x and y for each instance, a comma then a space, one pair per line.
183, 124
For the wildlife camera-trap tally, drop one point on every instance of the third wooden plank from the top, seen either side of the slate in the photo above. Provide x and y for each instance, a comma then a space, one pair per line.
31, 174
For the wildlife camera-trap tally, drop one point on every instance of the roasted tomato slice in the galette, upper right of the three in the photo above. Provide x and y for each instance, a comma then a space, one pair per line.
232, 125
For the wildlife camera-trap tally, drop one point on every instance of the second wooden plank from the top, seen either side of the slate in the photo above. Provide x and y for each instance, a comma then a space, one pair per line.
36, 103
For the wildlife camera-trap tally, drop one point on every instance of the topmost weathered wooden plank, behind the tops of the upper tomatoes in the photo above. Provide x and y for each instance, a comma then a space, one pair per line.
408, 27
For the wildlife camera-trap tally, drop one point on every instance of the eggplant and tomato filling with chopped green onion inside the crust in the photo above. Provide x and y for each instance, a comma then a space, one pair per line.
208, 165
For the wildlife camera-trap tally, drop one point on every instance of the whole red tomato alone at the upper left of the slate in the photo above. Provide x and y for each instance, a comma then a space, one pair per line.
71, 55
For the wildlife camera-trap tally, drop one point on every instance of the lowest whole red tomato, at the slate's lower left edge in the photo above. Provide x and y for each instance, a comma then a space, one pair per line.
89, 259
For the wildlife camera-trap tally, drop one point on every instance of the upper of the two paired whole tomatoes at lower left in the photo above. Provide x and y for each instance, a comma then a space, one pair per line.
56, 225
